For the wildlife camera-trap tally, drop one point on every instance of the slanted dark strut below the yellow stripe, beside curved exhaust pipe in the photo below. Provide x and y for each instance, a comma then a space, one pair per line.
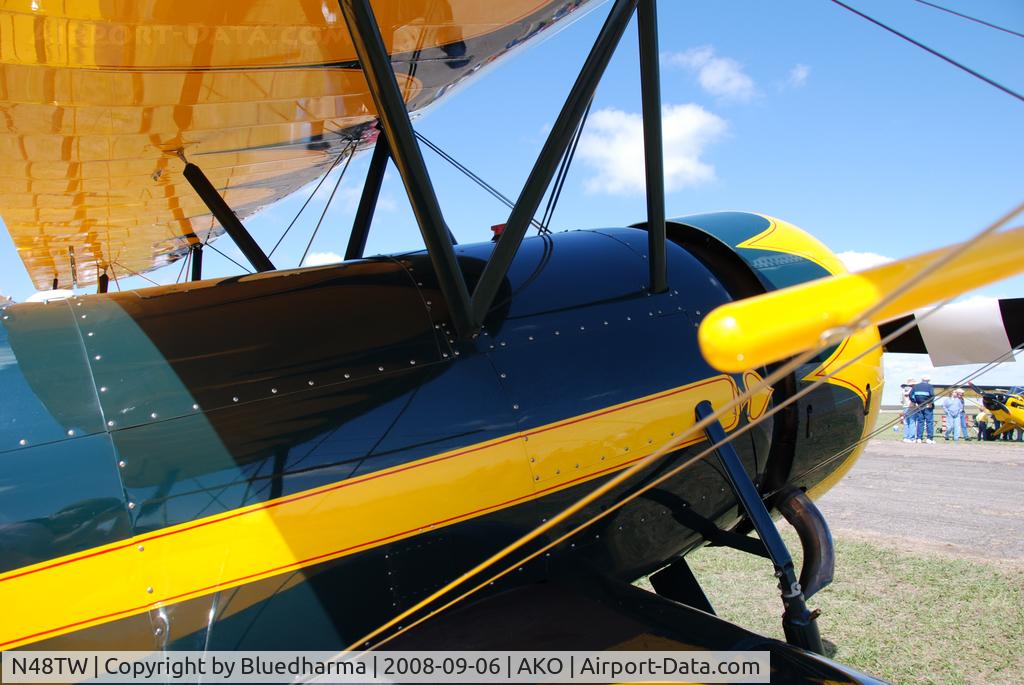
798, 622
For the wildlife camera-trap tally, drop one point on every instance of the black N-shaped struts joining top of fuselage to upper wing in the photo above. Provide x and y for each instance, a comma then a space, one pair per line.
468, 313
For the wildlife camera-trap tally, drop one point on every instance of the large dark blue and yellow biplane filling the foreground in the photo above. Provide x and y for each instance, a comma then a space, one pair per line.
315, 458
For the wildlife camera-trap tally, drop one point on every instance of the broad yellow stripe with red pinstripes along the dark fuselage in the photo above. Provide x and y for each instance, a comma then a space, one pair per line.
253, 543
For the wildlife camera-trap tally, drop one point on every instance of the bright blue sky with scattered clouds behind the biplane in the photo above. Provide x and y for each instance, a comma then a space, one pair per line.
798, 110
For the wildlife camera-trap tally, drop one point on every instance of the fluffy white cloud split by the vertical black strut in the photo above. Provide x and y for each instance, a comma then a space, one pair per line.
613, 147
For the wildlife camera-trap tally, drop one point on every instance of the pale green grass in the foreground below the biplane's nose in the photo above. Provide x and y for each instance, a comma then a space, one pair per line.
907, 618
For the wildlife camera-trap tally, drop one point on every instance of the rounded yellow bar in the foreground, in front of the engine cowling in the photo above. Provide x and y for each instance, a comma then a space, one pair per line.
751, 333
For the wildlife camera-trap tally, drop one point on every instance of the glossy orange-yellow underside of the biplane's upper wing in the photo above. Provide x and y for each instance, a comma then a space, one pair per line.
97, 98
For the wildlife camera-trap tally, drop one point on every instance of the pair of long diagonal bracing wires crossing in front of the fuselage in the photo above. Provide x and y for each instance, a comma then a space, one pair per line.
784, 370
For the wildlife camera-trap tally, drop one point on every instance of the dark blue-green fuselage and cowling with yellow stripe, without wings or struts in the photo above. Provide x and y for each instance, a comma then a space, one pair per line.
184, 464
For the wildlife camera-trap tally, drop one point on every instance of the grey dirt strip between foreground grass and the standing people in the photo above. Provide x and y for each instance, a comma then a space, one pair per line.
965, 499
